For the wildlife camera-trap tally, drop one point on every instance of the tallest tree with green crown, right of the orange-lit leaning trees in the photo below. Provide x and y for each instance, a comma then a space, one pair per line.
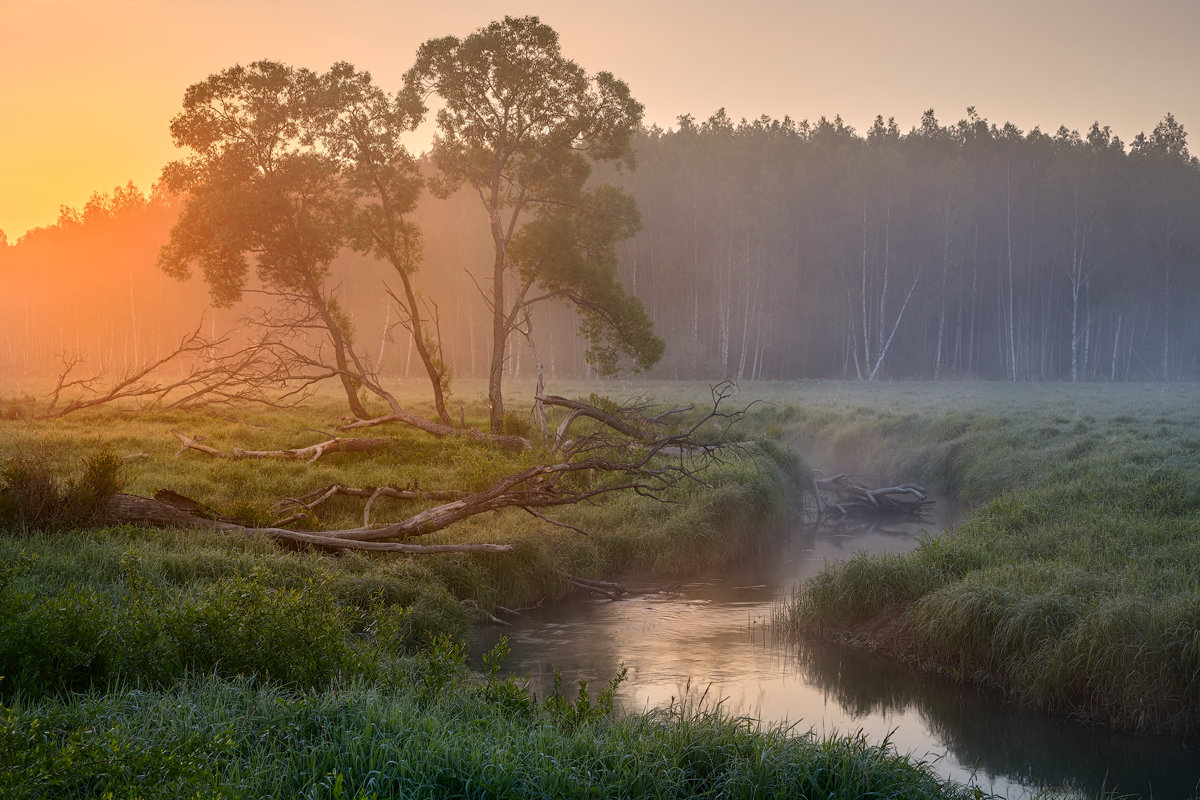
521, 127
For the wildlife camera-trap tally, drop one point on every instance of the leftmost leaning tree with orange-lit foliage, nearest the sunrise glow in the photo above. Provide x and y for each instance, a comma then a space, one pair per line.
259, 187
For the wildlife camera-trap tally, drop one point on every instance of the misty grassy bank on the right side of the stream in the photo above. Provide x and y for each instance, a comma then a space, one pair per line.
1073, 586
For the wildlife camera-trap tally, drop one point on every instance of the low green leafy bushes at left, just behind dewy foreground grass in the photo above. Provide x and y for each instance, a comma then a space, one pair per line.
141, 631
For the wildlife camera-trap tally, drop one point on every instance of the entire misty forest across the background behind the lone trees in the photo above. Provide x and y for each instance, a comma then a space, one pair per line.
769, 250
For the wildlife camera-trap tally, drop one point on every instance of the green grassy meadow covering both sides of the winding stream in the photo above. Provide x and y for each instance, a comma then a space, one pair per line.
169, 664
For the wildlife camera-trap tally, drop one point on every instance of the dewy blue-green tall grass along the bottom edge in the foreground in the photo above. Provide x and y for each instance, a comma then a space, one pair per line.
241, 739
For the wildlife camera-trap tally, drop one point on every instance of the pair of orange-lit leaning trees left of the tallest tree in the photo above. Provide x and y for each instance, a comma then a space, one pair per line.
290, 167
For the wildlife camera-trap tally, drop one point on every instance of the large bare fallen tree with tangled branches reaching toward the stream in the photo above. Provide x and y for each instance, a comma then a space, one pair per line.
626, 453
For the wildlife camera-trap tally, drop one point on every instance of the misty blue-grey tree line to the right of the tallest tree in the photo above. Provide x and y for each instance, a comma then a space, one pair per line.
776, 250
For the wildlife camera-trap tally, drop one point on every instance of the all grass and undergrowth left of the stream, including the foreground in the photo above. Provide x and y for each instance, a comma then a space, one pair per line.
151, 664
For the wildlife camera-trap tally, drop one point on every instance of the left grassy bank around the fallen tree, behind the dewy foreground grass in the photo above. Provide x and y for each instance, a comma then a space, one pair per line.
169, 592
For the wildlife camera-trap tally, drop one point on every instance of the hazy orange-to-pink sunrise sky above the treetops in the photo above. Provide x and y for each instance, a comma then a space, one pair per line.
88, 88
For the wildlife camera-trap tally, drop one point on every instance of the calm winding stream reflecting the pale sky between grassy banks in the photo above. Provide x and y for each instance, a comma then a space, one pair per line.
712, 643
